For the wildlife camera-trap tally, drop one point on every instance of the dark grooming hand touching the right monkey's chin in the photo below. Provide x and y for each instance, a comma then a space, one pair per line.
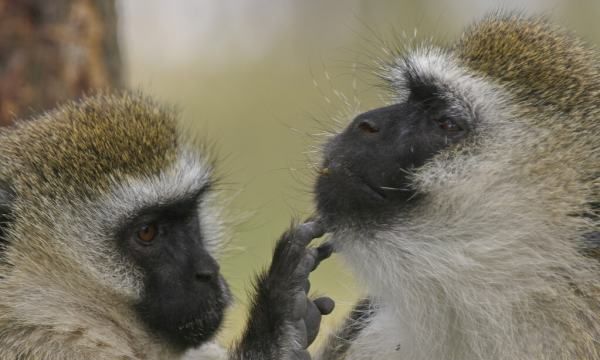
284, 321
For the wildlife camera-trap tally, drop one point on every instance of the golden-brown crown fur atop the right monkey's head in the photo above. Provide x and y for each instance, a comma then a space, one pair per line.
542, 64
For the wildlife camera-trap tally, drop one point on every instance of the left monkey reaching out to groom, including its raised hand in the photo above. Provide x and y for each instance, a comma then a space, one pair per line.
109, 229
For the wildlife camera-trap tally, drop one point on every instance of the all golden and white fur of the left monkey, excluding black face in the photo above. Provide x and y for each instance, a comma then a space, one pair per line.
65, 292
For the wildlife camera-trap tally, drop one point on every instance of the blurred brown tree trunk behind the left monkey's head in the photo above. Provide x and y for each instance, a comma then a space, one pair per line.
53, 50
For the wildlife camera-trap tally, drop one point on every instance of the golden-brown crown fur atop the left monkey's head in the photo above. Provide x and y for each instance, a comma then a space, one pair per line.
82, 146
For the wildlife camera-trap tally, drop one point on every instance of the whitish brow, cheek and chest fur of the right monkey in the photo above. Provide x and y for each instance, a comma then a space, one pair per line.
468, 274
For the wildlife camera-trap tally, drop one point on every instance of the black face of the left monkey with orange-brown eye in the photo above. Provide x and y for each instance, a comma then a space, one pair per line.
184, 295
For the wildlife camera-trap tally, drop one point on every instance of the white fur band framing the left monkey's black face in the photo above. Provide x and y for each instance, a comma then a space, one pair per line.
188, 175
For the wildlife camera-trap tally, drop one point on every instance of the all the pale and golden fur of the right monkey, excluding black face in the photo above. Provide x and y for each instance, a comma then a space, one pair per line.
494, 264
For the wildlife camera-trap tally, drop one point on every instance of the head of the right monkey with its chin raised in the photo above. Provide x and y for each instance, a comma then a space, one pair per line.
498, 132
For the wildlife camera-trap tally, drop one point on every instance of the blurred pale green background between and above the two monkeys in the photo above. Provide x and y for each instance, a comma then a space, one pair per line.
264, 79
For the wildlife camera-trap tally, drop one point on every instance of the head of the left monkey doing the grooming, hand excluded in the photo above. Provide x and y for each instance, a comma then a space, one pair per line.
107, 206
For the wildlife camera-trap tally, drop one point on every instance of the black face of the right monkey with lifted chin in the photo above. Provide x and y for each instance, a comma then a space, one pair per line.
366, 169
